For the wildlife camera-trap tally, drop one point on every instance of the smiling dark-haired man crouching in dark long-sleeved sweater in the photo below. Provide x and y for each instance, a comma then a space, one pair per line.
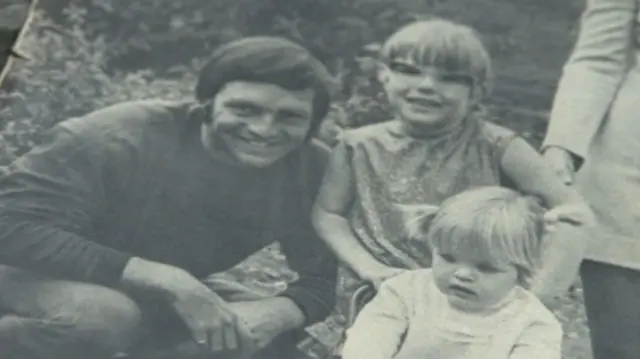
117, 216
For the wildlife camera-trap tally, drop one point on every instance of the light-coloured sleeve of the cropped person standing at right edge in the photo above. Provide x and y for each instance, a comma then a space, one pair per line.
593, 74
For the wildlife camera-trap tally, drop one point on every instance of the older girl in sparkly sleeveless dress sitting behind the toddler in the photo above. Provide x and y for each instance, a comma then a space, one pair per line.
434, 72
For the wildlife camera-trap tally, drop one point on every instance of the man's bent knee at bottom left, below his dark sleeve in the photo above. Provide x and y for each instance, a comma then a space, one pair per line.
82, 313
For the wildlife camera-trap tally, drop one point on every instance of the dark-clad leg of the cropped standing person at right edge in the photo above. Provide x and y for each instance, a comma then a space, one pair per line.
611, 298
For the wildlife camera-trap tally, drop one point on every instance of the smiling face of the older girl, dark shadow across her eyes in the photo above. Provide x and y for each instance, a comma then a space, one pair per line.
426, 99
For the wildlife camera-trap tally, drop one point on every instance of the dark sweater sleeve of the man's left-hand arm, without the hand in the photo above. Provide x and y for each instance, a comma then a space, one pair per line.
49, 200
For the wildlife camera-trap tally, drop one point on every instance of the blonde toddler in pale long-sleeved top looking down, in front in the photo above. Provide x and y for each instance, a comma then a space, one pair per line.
473, 302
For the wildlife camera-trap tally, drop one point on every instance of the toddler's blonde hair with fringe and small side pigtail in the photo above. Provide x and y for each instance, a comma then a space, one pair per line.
495, 223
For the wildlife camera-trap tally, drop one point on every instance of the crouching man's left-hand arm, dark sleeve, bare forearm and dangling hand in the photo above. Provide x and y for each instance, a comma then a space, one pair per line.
50, 200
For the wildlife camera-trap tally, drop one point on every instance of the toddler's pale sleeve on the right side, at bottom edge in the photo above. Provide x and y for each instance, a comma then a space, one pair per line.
540, 340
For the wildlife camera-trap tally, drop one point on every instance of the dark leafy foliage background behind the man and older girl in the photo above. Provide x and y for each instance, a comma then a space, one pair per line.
90, 53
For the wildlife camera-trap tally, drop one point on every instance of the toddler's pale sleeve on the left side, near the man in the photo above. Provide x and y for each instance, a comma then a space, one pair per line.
378, 330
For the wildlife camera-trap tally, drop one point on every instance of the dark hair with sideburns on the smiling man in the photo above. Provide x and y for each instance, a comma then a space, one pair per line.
271, 60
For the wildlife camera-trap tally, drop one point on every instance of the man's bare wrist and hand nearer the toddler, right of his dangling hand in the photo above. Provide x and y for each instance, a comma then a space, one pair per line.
268, 318
